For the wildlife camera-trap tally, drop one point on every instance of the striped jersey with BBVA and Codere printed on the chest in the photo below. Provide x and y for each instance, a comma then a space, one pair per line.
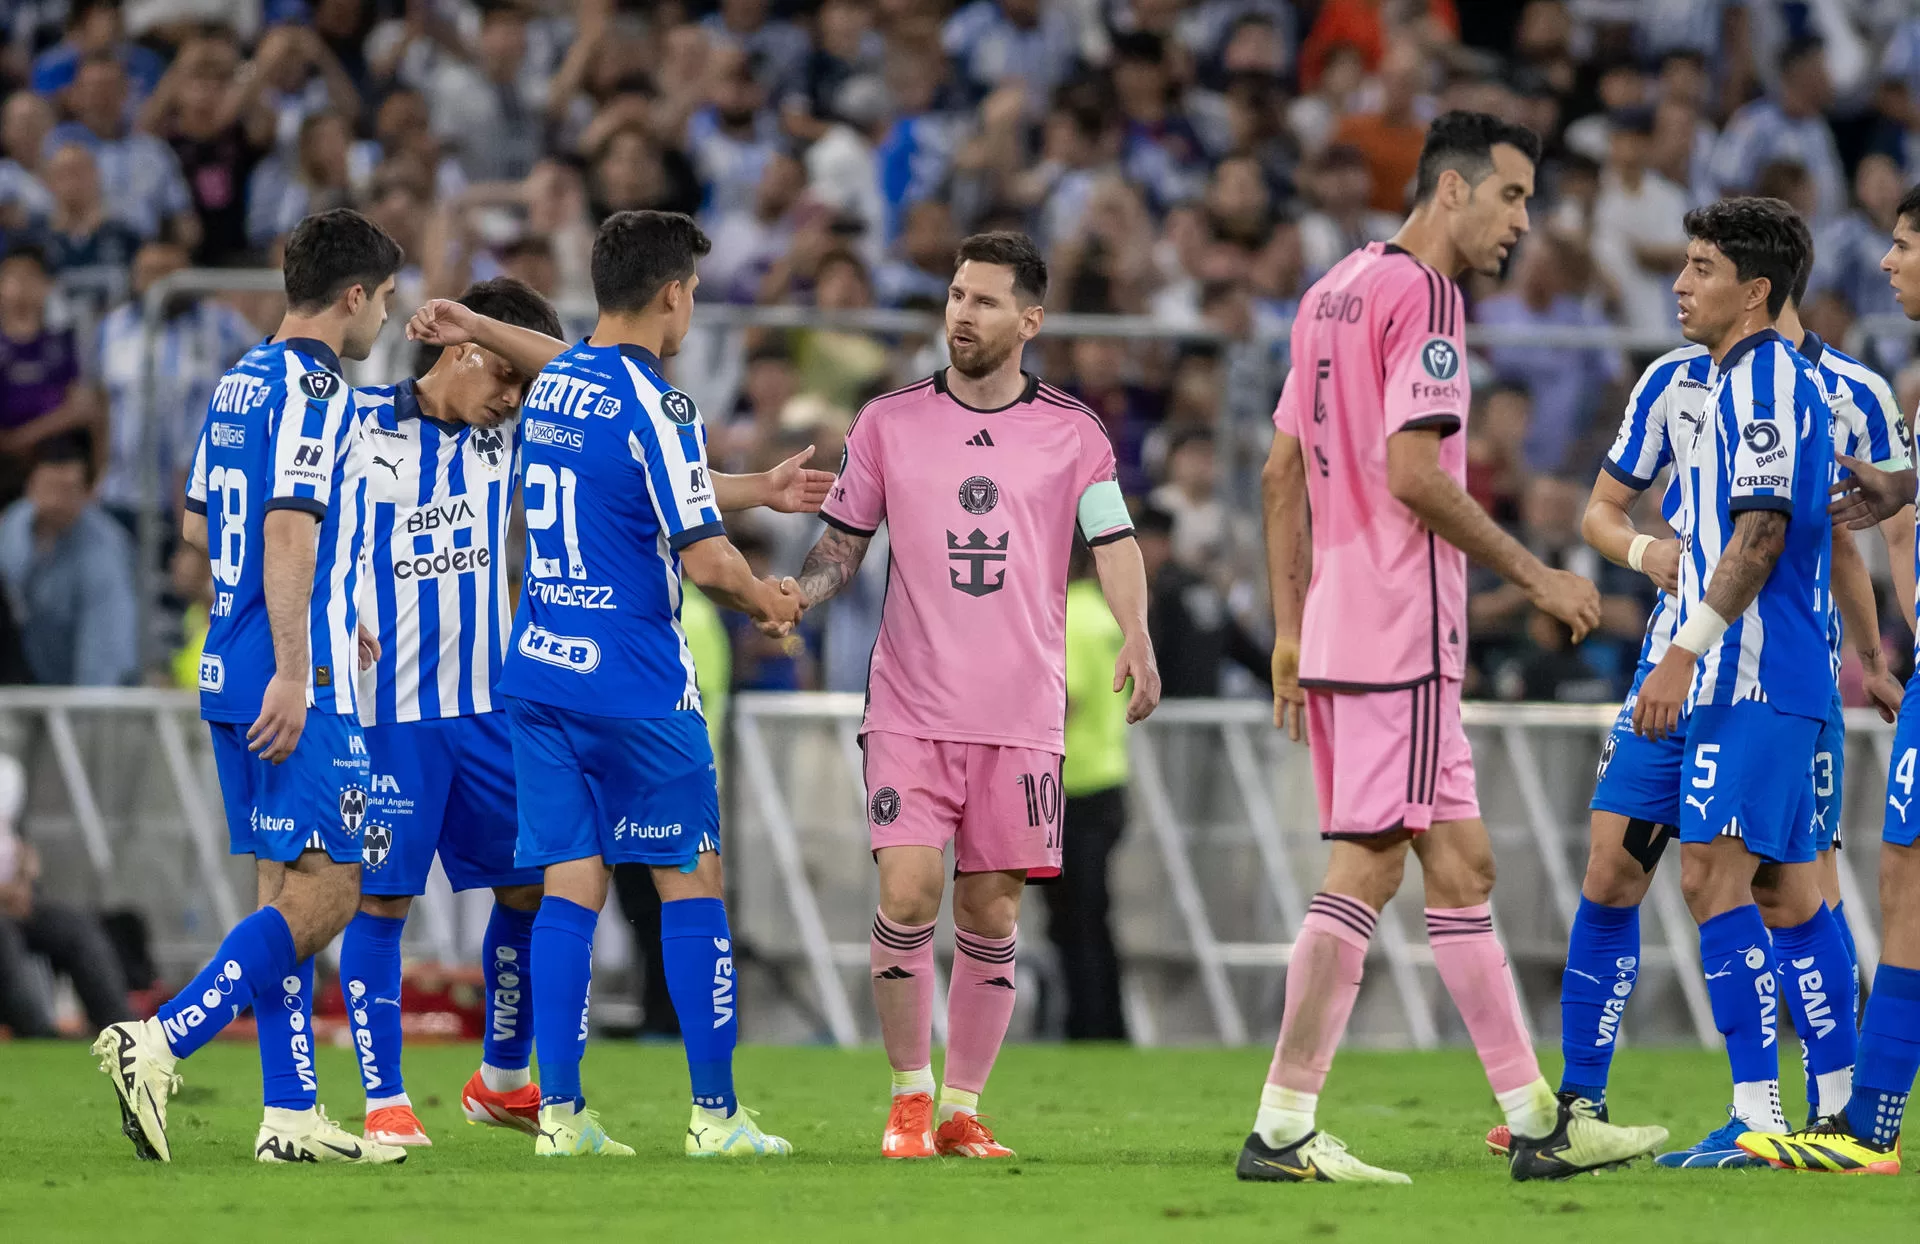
439, 502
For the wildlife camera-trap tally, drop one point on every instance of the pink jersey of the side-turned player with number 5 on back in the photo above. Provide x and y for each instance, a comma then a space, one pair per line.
1378, 350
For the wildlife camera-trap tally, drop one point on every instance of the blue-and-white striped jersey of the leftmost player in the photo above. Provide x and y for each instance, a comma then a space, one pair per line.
279, 435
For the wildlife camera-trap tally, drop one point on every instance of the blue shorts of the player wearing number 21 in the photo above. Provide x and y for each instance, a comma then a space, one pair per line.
625, 790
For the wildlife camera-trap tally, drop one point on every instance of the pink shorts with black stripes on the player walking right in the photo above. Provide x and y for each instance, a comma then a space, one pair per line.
1391, 759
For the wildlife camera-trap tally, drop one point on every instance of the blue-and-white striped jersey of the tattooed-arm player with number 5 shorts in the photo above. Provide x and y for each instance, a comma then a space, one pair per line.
1765, 443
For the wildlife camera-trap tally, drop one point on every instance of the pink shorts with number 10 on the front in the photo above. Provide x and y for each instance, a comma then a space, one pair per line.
997, 805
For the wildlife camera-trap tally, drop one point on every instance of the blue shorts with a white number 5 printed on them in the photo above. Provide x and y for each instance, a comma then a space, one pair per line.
1750, 777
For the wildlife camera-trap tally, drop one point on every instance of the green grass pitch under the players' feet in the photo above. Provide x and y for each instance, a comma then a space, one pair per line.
1115, 1145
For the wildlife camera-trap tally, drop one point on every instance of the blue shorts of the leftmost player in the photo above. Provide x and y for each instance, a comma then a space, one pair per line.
312, 801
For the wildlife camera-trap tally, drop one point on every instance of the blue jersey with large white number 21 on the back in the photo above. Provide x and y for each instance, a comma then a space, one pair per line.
617, 483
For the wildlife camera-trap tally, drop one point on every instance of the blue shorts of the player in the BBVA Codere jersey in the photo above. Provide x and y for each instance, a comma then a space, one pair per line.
443, 786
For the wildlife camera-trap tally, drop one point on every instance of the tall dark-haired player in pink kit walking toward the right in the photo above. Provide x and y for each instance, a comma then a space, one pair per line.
1370, 602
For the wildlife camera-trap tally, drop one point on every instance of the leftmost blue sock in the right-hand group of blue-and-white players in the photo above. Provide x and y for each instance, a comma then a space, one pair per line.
1602, 967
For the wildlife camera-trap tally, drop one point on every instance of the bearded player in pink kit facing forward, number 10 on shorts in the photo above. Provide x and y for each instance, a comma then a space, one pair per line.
982, 475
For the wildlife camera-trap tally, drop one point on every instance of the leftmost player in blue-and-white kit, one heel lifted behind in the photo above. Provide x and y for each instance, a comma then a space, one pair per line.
277, 500
